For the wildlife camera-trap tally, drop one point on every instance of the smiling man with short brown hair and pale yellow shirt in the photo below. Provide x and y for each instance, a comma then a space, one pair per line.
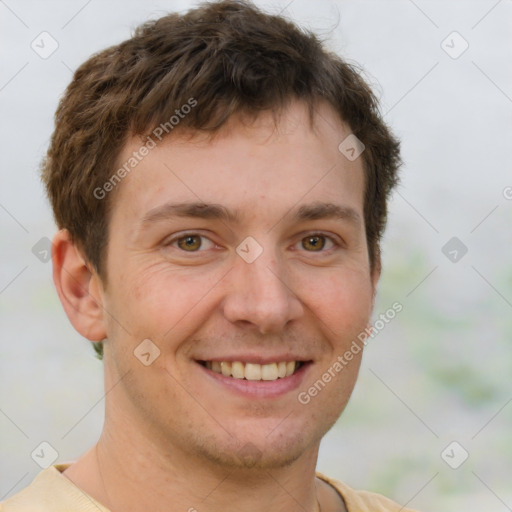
220, 184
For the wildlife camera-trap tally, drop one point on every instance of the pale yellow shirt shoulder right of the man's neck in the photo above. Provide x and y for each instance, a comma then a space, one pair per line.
363, 501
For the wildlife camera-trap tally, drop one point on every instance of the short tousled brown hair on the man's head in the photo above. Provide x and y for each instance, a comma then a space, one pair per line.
230, 58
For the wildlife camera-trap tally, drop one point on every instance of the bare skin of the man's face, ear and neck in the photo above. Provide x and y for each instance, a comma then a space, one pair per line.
173, 436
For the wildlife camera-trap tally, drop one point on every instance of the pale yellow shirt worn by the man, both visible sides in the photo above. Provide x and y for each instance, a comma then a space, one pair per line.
51, 491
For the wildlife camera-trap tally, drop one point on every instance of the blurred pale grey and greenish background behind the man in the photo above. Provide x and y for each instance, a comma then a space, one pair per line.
429, 423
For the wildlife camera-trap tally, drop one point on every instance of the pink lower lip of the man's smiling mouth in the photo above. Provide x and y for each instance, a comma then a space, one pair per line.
259, 388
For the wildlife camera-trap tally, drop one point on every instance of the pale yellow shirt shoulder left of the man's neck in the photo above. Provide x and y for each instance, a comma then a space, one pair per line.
51, 491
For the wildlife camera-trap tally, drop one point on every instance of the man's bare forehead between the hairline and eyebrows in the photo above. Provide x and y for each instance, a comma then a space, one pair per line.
245, 166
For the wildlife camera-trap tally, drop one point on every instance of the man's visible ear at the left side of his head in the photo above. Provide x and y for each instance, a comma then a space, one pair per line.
79, 288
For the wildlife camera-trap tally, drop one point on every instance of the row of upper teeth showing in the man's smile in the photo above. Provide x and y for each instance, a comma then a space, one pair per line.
253, 371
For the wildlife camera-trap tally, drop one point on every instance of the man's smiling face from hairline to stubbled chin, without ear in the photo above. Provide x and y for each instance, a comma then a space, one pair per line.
248, 248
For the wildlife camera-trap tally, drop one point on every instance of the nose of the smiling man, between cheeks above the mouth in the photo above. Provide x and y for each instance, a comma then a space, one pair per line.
260, 295
